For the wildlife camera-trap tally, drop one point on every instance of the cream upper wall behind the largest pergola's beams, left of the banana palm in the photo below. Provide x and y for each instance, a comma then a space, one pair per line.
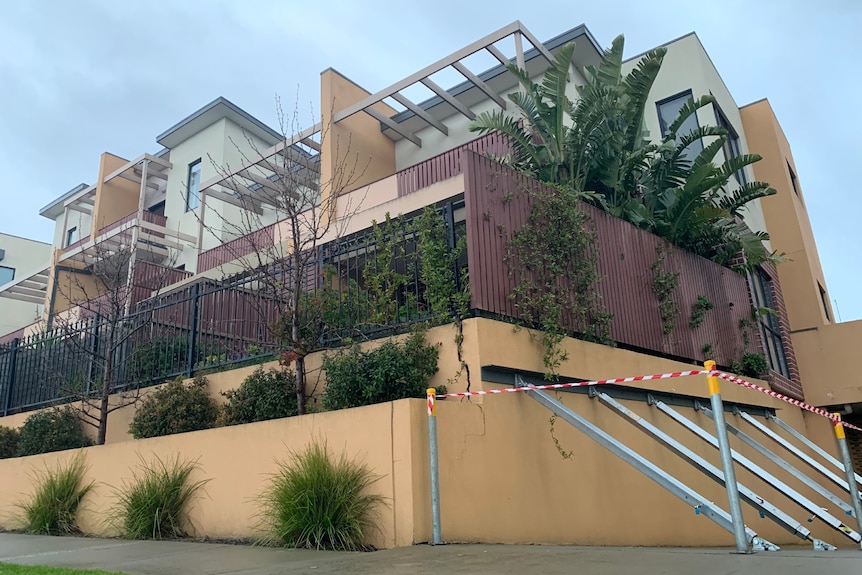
434, 142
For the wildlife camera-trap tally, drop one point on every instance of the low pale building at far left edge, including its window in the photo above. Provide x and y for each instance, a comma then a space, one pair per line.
21, 302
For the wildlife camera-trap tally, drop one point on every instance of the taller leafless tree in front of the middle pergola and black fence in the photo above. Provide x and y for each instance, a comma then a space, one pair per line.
286, 210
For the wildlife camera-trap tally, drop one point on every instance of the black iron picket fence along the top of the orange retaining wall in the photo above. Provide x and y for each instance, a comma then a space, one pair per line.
212, 325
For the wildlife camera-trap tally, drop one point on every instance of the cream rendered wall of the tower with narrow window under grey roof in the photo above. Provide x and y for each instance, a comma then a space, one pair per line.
219, 146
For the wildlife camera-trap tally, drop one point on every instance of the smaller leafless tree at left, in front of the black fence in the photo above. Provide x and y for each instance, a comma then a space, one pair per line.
96, 334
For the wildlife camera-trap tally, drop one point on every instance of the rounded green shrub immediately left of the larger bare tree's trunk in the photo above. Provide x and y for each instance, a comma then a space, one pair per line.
263, 395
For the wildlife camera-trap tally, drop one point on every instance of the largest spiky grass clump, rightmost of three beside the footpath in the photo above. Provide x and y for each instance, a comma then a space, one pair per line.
315, 502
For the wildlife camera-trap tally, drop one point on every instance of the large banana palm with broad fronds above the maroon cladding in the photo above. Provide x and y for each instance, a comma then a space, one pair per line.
596, 148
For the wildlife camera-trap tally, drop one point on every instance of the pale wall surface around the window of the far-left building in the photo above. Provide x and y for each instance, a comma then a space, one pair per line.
26, 257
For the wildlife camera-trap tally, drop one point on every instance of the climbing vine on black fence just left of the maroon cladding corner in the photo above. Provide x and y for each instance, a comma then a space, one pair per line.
447, 288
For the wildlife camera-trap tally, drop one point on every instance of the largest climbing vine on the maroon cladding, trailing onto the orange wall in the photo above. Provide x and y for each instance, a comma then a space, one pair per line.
552, 259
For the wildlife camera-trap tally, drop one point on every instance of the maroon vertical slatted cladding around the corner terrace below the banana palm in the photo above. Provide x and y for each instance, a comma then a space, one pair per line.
626, 255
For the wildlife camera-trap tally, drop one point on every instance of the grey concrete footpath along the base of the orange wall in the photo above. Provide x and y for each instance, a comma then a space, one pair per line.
181, 558
